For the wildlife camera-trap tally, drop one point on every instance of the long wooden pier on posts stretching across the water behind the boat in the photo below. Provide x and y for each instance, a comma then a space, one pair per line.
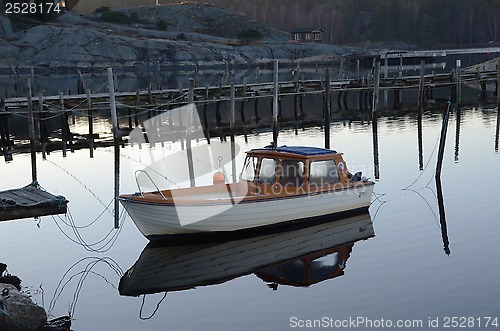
252, 103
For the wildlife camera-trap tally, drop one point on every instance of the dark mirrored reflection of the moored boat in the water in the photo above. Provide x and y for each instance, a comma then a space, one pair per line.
298, 257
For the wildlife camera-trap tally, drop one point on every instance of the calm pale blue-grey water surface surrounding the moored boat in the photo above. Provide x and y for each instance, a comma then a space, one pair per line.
402, 273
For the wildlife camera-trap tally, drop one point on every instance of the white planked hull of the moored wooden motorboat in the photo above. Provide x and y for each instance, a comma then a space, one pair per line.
159, 219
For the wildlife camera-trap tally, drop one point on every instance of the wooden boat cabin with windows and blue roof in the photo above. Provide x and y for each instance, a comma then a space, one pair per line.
295, 169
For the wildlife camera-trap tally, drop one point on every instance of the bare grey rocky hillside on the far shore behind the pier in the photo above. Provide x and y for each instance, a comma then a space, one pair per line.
195, 35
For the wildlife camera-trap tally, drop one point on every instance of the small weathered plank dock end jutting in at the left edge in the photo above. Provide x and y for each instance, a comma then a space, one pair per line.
30, 201
